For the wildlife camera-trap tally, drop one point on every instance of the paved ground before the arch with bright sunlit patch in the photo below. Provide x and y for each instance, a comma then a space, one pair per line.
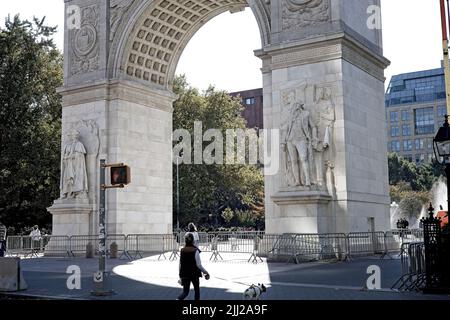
150, 279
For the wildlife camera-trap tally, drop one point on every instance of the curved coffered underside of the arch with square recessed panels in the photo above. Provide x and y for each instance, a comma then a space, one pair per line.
153, 44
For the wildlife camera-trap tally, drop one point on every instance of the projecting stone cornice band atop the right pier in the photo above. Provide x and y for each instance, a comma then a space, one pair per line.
324, 48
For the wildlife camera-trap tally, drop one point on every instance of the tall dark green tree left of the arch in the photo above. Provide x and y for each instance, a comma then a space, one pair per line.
30, 113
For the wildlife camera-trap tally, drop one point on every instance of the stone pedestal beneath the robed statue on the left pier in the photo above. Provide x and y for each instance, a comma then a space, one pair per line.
71, 217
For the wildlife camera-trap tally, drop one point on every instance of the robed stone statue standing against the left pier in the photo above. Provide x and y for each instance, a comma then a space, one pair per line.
74, 181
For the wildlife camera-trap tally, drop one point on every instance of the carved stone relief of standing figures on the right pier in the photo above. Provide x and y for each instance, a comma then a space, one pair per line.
307, 127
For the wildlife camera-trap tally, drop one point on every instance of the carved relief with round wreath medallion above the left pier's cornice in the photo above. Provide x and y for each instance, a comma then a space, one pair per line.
85, 49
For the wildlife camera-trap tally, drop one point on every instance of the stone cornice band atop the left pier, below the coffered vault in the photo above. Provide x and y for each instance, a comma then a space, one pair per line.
118, 90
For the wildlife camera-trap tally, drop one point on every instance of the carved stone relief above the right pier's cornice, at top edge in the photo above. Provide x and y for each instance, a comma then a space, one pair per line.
302, 13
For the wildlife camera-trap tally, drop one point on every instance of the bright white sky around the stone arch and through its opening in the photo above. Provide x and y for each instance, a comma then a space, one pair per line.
221, 53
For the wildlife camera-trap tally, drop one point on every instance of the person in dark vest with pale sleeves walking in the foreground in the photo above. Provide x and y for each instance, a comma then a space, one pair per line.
191, 268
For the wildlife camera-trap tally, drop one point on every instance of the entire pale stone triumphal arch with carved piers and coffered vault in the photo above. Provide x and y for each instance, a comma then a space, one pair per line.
323, 69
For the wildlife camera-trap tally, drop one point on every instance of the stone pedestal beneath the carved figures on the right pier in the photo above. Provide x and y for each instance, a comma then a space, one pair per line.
303, 211
